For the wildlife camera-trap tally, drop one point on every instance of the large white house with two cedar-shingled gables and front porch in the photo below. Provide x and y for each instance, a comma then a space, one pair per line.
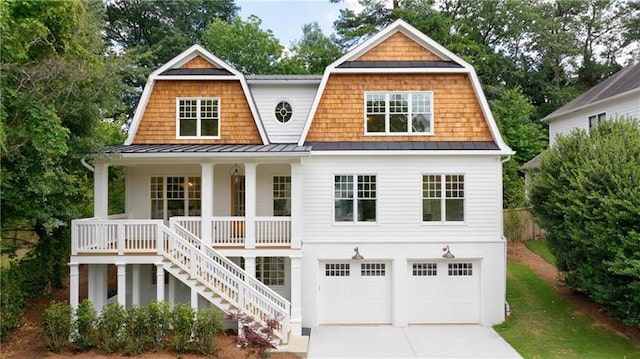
369, 195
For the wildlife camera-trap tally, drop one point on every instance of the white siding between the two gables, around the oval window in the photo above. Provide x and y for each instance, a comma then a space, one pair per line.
300, 96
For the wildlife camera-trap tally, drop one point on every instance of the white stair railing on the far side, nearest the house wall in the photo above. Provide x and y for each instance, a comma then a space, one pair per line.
272, 295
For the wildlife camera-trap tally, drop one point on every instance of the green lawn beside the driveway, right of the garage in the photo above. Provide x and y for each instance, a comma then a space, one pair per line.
542, 325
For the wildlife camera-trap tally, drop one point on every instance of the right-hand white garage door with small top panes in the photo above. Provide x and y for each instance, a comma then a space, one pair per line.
444, 292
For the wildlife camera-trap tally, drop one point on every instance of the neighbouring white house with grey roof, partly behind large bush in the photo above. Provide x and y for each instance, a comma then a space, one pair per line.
618, 96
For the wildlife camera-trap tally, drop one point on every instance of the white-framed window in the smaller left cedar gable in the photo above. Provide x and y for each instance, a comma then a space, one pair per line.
198, 117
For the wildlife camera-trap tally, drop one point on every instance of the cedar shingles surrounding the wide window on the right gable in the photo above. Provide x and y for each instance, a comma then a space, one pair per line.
457, 113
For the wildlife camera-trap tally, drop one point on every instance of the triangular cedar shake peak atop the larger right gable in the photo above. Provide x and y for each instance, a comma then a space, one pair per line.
398, 47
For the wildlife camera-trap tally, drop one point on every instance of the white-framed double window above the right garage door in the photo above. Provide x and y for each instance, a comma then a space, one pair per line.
442, 198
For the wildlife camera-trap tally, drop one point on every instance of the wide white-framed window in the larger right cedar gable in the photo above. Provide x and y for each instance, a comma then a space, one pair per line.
399, 113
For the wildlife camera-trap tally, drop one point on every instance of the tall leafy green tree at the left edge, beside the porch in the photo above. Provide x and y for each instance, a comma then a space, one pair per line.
54, 94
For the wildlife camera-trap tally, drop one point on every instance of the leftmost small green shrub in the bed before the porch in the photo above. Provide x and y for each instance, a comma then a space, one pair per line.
56, 325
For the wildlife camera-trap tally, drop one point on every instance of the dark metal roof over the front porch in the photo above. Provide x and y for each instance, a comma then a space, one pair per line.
148, 149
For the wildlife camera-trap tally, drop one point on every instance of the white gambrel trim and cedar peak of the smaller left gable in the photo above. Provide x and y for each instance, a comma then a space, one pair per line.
194, 64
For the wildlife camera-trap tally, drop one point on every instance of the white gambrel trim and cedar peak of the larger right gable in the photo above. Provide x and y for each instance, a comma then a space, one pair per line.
432, 59
